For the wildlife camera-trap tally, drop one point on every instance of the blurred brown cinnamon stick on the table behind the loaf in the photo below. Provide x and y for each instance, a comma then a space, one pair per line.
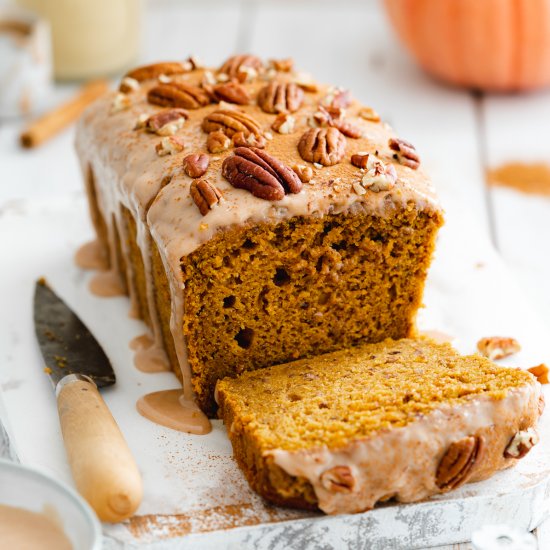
53, 122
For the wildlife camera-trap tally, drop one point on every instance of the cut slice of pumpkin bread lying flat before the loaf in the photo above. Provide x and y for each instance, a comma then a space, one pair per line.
399, 419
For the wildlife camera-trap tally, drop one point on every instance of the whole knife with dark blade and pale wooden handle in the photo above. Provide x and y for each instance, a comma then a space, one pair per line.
102, 465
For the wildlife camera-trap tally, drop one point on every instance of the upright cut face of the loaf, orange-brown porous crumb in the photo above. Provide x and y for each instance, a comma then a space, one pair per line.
270, 294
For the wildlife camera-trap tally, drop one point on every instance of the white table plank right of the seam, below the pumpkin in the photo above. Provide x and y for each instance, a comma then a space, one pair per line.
517, 128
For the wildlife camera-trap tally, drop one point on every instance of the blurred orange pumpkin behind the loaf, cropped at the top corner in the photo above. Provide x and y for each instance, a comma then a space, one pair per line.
499, 45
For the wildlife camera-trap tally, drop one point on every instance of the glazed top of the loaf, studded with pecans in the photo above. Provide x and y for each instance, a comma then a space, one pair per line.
136, 141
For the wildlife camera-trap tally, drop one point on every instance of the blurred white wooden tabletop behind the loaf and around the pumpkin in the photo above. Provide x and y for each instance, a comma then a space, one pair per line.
349, 43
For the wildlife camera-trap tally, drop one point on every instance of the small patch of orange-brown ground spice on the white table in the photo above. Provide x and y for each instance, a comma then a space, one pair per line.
528, 178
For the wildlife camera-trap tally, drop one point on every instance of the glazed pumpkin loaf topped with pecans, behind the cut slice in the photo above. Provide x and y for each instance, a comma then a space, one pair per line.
255, 216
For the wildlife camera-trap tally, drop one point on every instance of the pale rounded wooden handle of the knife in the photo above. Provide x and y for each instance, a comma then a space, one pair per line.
102, 465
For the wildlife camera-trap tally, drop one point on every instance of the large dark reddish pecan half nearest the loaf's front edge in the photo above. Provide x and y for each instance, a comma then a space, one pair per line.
258, 172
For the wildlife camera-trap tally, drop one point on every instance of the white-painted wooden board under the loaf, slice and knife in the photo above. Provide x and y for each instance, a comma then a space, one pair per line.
192, 485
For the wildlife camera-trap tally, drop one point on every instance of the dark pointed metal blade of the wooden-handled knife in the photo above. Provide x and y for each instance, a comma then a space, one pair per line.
68, 347
